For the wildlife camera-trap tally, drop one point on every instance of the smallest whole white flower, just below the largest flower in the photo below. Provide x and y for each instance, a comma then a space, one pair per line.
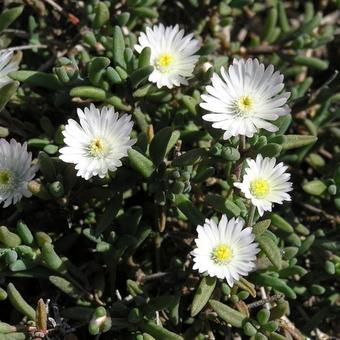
265, 183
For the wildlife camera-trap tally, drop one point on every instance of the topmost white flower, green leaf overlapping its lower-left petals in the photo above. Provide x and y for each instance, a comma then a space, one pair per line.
172, 54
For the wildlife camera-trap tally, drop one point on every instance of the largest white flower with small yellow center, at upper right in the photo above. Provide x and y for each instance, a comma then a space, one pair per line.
246, 99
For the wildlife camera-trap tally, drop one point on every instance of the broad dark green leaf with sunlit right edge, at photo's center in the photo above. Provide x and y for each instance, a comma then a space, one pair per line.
162, 143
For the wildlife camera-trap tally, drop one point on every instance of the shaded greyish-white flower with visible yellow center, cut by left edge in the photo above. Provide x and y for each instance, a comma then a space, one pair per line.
15, 171
